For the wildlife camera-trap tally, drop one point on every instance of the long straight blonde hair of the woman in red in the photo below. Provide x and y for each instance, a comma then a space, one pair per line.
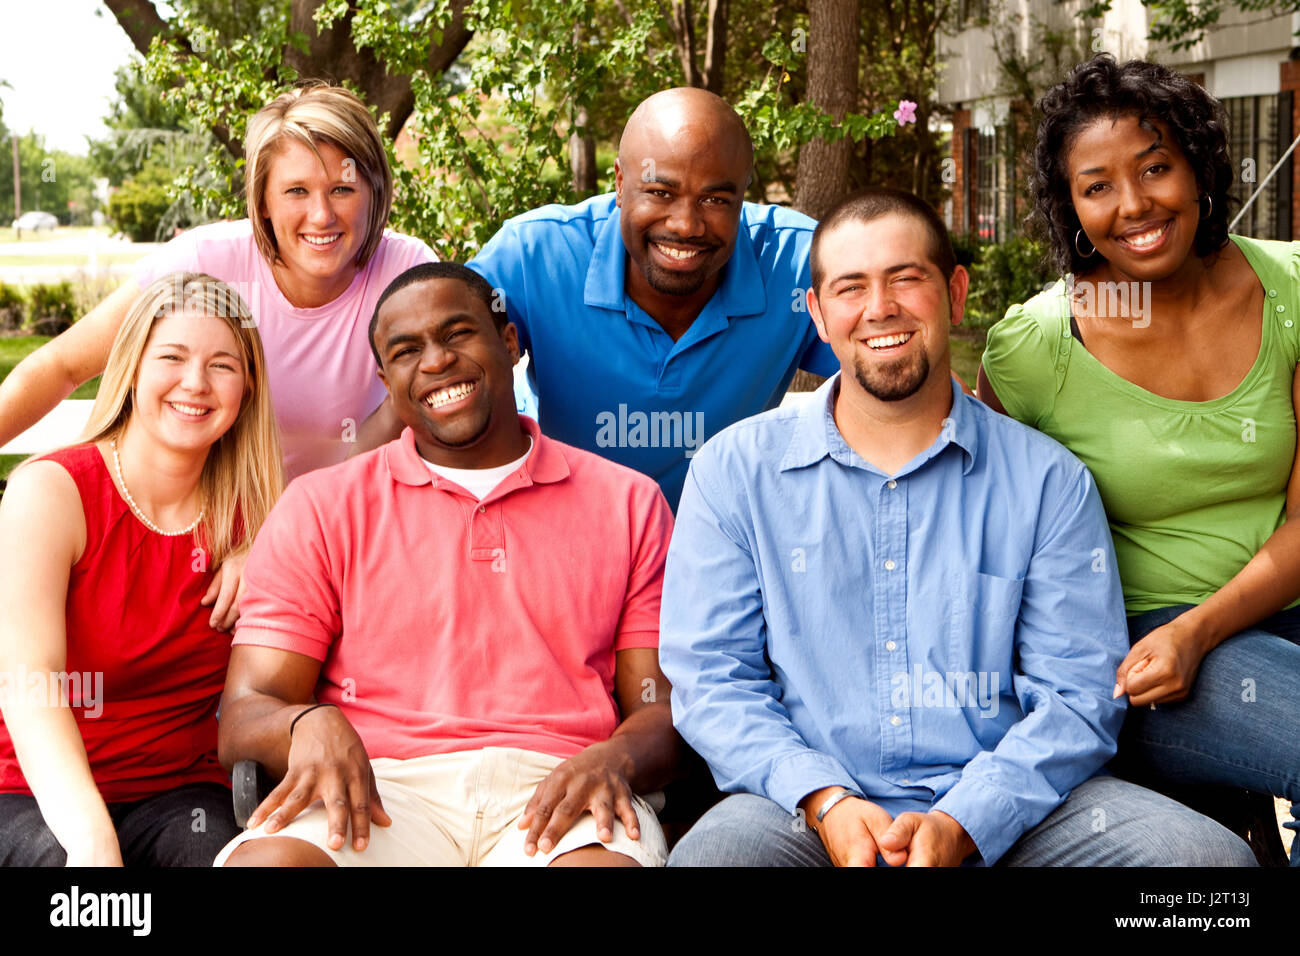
244, 474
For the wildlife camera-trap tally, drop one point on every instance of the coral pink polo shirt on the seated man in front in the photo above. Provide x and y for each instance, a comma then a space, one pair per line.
445, 624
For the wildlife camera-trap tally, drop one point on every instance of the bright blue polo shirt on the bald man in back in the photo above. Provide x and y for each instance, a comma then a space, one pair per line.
609, 379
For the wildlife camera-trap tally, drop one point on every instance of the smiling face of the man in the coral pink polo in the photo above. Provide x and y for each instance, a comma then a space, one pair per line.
450, 374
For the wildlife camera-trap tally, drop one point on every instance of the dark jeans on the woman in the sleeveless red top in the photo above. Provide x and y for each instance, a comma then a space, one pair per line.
187, 827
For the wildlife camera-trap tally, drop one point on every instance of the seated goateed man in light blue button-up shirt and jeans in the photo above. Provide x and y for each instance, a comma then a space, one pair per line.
895, 613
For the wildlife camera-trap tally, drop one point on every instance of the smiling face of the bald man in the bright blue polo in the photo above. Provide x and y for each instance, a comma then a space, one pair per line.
681, 184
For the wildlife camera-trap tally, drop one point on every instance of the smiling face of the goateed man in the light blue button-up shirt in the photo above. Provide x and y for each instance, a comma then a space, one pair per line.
885, 306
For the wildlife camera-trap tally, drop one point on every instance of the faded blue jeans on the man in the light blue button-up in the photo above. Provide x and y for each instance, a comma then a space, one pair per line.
1104, 823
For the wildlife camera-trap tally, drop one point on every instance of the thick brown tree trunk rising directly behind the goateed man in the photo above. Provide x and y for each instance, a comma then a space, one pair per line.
824, 170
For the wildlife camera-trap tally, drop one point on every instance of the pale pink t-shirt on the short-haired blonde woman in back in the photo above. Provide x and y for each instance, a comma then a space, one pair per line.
323, 377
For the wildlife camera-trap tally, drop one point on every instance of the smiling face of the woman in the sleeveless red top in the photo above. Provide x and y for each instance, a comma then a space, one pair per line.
192, 382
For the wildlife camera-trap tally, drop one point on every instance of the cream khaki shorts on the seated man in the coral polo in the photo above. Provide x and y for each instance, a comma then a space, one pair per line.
462, 810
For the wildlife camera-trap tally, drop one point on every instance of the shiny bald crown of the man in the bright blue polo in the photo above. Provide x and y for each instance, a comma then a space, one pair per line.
686, 119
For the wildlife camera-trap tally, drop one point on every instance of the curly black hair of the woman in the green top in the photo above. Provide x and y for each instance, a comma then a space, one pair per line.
1102, 88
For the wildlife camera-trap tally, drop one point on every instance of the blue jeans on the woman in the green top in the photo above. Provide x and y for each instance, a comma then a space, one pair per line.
1241, 725
